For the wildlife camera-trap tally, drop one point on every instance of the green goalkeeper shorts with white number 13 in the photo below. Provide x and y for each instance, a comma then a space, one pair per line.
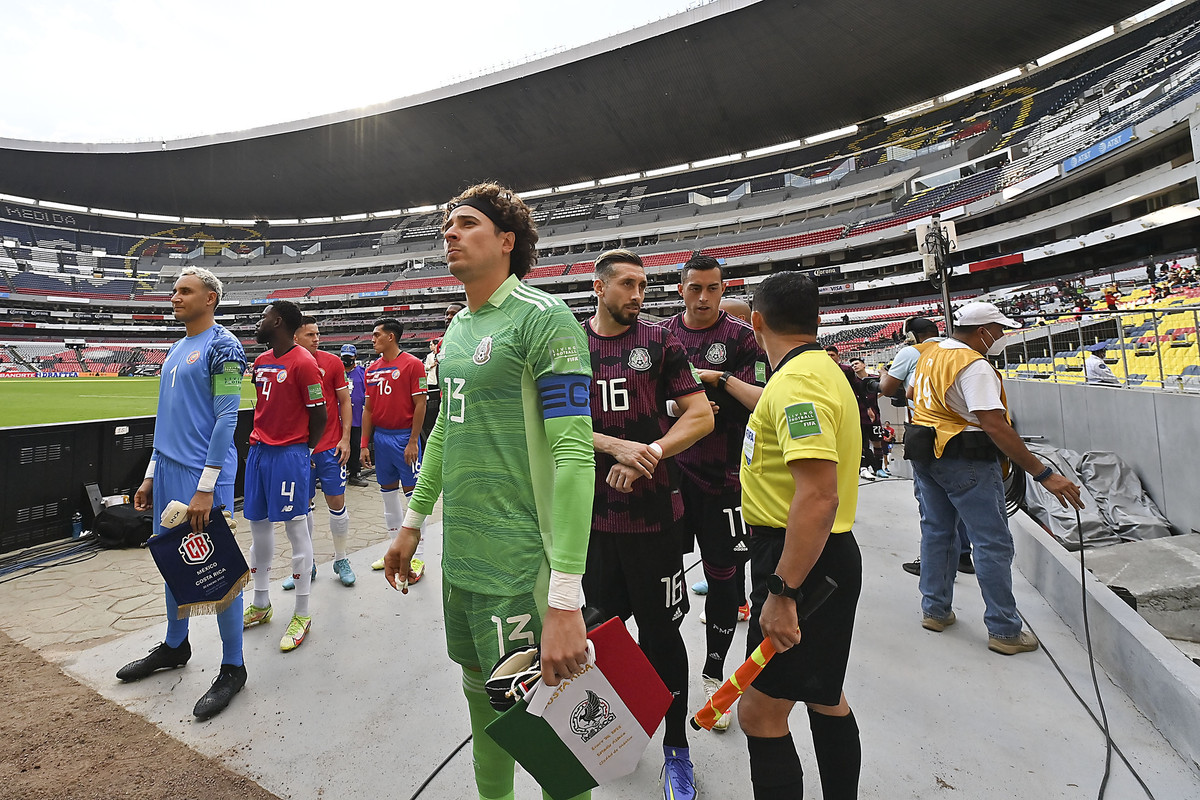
483, 628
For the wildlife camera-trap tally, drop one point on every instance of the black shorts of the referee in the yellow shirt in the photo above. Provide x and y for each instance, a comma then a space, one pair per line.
814, 670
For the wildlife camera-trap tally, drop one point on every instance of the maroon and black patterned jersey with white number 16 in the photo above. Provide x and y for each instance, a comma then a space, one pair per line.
633, 378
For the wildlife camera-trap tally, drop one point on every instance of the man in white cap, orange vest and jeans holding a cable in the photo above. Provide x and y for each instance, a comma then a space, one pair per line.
962, 426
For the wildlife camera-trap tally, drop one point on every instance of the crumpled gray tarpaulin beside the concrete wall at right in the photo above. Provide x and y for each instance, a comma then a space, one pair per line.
1117, 508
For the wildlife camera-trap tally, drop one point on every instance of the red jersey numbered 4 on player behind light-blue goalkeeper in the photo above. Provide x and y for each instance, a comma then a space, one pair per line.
287, 387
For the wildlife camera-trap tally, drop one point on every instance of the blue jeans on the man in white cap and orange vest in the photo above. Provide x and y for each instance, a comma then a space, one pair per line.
951, 491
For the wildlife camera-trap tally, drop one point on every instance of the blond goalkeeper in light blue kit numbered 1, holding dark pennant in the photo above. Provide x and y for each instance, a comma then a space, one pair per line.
195, 461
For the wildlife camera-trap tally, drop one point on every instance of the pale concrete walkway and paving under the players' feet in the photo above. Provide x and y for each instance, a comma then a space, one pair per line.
370, 706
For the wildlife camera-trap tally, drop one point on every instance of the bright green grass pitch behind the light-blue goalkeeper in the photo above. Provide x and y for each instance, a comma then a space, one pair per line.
39, 401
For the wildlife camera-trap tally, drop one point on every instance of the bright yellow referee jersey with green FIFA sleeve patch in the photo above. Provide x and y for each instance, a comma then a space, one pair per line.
808, 411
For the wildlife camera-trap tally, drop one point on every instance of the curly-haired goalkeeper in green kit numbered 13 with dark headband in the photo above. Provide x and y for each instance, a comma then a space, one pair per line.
512, 455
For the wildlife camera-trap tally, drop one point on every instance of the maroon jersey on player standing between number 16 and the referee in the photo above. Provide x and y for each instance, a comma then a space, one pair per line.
728, 346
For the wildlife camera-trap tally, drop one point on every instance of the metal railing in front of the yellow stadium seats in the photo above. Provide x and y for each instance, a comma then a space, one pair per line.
1148, 348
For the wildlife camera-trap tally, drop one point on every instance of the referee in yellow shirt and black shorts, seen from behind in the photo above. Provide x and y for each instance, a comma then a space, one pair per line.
800, 490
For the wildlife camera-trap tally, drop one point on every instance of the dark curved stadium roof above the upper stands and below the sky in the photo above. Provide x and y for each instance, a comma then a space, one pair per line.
724, 79
